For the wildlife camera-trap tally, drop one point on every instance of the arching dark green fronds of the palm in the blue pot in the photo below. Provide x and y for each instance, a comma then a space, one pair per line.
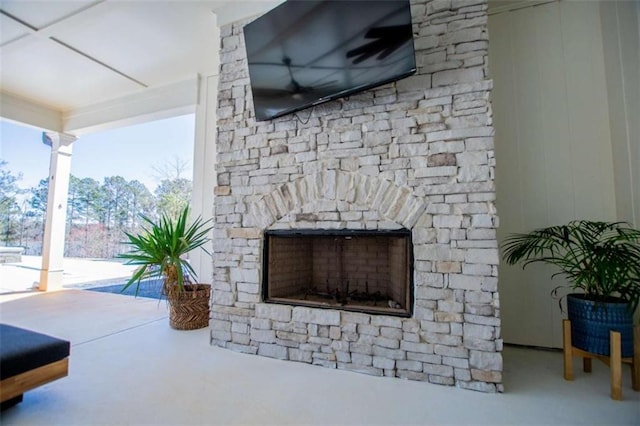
602, 259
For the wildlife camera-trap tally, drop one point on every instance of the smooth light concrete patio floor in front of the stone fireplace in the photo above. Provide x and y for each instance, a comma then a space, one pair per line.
128, 366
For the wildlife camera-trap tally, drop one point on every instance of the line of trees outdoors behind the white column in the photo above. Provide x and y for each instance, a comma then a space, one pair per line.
98, 213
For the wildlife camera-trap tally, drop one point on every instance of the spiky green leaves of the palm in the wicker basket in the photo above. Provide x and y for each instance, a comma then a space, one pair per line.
160, 249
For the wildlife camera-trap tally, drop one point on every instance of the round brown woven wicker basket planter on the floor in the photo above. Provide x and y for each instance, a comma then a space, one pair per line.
189, 309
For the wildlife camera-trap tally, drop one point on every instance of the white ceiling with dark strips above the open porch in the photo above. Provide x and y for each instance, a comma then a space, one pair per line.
65, 55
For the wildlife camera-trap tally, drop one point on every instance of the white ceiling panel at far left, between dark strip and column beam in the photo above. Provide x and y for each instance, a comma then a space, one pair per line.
57, 77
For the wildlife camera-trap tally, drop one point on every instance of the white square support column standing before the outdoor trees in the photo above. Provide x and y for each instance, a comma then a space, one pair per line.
54, 228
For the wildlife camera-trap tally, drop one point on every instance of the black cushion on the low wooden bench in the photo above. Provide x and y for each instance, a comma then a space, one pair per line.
23, 350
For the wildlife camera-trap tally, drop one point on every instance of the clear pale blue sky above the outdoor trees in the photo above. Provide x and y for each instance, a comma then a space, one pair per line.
130, 152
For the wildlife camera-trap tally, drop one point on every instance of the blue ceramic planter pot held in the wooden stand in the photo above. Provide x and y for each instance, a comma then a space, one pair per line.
591, 322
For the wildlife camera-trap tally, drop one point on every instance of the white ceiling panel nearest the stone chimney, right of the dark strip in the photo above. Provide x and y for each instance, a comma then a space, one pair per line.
154, 43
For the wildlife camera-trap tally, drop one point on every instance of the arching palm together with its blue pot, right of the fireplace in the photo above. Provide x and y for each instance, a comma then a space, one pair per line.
602, 263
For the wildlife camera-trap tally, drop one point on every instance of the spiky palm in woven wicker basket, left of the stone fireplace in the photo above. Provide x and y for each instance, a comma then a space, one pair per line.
160, 252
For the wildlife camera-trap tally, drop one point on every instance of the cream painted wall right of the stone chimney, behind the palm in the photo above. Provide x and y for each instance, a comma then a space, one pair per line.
554, 153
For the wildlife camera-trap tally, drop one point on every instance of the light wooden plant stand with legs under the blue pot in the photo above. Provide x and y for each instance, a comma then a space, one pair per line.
614, 360
